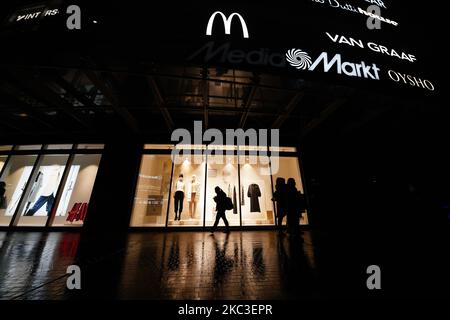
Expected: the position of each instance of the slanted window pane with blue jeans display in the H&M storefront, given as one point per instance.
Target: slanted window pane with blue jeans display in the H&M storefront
(40, 196)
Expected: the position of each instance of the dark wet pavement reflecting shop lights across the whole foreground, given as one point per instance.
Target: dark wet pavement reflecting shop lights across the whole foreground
(197, 266)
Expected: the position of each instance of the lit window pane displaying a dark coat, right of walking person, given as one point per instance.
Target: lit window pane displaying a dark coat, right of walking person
(257, 207)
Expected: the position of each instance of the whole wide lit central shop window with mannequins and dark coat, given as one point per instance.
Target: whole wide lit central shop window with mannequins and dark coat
(178, 191)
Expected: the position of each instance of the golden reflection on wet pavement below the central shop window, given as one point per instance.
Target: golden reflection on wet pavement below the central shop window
(239, 265)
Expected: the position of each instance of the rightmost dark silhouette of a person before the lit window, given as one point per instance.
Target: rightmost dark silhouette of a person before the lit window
(295, 204)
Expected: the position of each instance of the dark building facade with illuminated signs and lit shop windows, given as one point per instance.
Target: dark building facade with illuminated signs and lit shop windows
(96, 99)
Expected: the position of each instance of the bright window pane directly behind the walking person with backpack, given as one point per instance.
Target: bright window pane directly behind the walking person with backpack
(223, 173)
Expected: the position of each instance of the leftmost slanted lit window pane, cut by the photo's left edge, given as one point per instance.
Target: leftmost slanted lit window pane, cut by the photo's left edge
(15, 177)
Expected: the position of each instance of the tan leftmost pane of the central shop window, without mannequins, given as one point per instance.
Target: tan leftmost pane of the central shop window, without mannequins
(152, 191)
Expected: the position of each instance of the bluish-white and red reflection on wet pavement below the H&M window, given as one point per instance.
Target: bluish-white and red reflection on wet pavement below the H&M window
(33, 265)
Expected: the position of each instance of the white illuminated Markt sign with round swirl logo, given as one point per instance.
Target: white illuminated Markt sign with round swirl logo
(301, 60)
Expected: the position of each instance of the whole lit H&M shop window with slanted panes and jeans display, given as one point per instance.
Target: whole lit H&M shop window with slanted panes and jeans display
(39, 190)
